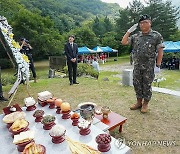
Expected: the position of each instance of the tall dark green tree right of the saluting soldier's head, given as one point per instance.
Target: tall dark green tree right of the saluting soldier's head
(164, 17)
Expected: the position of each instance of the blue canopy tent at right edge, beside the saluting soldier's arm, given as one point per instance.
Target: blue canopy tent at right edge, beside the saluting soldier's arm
(171, 46)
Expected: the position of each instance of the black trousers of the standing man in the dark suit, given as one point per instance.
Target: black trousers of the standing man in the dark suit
(72, 69)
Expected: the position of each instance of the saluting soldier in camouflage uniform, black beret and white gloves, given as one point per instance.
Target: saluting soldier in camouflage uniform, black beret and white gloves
(147, 46)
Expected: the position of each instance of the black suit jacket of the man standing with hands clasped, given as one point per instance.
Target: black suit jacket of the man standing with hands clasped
(71, 53)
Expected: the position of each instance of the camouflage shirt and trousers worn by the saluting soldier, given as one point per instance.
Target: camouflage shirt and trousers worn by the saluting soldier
(145, 48)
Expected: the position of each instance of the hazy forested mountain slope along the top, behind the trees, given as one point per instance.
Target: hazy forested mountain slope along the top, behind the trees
(68, 14)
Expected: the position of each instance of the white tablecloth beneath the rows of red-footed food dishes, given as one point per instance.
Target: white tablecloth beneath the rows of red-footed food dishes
(42, 136)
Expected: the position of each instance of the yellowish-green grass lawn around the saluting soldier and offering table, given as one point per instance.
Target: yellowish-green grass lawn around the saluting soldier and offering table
(160, 123)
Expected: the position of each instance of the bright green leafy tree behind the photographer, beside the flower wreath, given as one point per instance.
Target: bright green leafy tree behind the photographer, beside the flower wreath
(39, 31)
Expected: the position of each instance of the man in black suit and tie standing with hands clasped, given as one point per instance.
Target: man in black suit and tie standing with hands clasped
(71, 51)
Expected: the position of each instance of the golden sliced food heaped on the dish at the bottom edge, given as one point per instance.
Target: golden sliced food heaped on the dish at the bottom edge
(33, 148)
